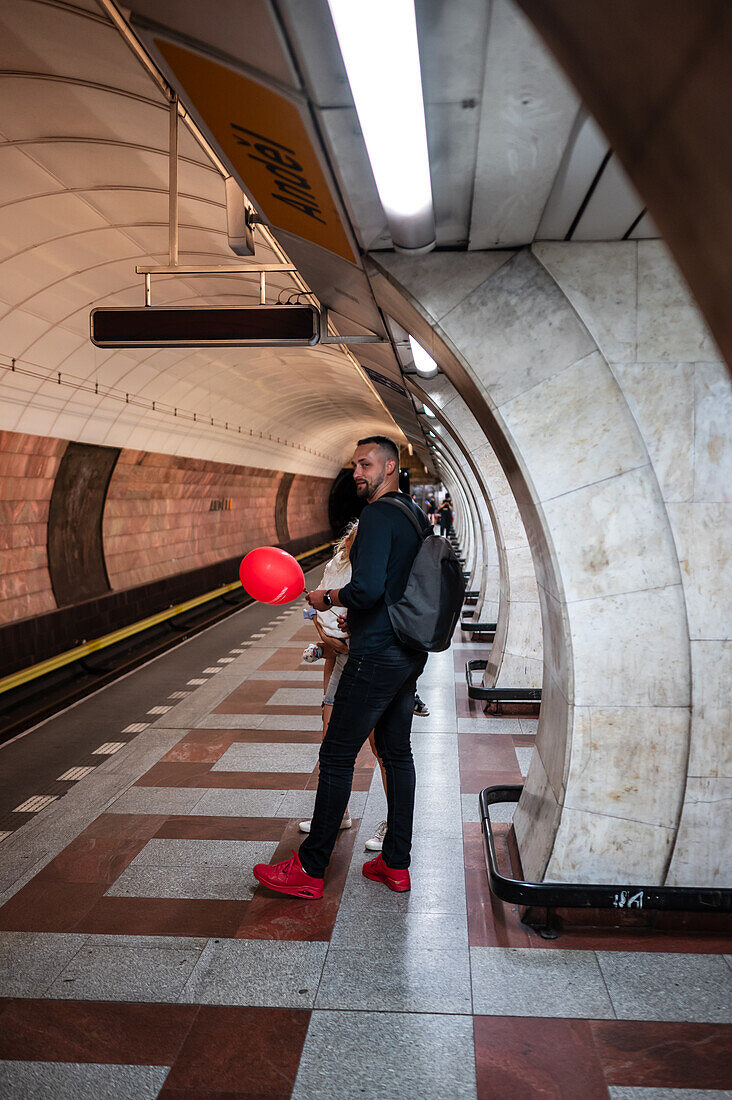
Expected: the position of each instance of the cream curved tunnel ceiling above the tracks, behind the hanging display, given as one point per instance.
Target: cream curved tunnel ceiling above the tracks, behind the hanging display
(83, 200)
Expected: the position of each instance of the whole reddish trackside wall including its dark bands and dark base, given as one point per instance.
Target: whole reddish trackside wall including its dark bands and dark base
(146, 531)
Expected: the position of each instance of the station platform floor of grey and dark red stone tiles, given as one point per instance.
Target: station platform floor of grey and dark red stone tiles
(140, 959)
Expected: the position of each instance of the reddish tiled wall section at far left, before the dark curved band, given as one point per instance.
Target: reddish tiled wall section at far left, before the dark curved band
(28, 470)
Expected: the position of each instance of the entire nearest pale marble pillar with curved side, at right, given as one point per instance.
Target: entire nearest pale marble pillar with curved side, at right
(596, 381)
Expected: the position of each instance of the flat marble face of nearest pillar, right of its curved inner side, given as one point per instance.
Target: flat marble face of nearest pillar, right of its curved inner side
(681, 398)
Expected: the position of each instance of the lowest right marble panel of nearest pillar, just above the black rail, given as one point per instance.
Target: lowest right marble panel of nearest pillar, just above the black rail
(703, 855)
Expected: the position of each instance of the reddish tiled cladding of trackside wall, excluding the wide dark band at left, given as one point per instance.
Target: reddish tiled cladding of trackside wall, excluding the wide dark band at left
(162, 516)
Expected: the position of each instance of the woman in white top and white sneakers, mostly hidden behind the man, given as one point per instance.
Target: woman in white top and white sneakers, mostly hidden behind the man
(334, 642)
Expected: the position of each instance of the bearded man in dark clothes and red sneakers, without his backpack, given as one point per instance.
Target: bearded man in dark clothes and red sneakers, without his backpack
(377, 688)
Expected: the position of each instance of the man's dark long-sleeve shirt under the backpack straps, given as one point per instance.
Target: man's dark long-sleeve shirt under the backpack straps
(383, 556)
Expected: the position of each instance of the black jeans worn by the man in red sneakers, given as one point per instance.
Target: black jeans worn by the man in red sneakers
(376, 692)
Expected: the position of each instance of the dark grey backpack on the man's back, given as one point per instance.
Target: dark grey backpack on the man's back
(427, 615)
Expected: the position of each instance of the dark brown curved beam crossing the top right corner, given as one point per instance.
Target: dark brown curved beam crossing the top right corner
(658, 79)
